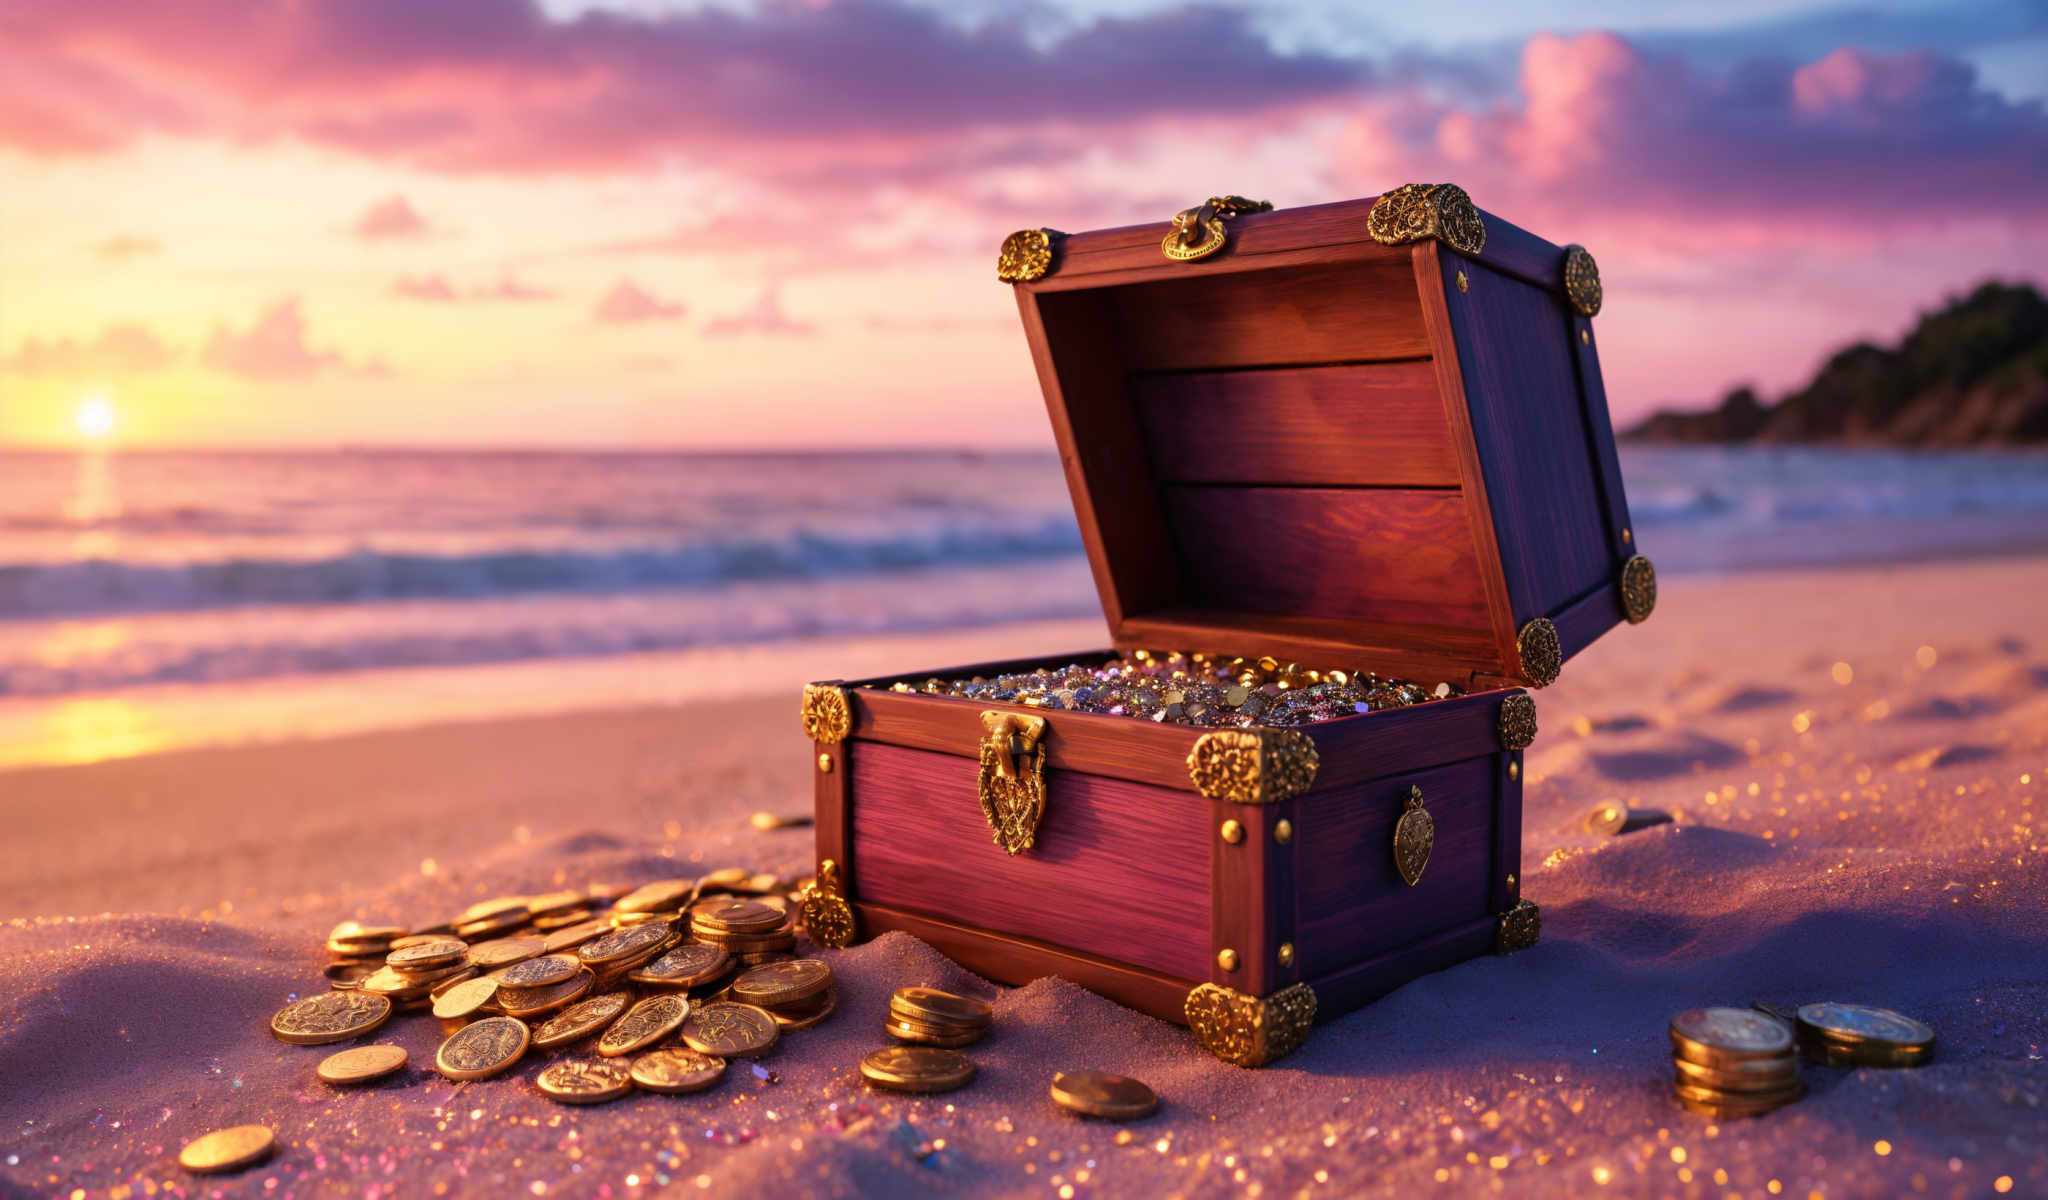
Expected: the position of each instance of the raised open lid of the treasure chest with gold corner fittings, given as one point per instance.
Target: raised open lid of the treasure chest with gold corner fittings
(1365, 435)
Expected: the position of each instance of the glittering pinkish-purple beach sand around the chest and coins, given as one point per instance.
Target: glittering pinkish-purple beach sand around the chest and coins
(1854, 761)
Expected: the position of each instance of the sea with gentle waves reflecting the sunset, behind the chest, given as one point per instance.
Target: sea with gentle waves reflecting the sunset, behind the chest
(124, 572)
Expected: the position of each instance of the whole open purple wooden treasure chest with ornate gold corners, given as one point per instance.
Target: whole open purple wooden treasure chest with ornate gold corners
(1365, 439)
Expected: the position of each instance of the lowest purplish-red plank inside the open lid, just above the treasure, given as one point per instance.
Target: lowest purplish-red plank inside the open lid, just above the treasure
(1340, 554)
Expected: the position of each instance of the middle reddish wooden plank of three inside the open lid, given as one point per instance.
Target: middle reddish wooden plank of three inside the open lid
(1377, 425)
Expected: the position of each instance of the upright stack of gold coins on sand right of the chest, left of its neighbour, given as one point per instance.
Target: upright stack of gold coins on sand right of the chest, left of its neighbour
(1734, 1062)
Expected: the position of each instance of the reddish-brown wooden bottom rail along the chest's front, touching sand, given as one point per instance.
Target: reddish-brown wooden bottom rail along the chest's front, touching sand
(1019, 961)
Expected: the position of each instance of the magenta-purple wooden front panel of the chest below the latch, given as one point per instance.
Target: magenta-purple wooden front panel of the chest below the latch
(1119, 869)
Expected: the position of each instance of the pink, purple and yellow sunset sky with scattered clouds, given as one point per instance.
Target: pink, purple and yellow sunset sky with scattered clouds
(462, 222)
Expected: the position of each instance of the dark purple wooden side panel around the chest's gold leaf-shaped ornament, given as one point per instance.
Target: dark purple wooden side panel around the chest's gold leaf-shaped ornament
(1353, 902)
